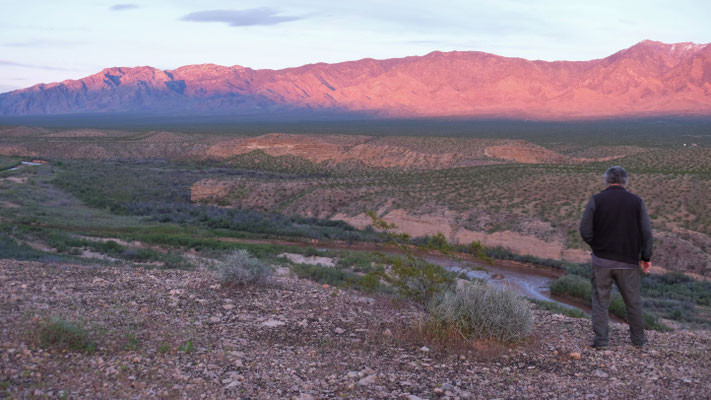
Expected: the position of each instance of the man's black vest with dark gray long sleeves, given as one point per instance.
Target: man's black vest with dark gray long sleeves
(616, 226)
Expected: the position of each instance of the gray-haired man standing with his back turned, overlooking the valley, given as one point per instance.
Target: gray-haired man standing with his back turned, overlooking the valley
(616, 226)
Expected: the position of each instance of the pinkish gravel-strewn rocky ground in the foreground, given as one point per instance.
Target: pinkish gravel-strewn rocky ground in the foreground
(178, 334)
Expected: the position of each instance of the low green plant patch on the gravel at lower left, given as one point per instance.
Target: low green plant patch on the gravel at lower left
(64, 334)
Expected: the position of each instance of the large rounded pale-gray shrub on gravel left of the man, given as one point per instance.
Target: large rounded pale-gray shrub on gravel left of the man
(481, 311)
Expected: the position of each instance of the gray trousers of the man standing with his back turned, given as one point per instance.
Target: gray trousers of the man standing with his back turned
(628, 281)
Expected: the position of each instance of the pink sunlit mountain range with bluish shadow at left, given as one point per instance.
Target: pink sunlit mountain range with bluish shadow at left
(649, 78)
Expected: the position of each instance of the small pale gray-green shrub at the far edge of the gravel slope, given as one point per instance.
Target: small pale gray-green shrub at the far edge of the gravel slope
(240, 269)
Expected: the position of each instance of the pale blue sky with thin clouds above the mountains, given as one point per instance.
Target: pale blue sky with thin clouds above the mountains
(53, 40)
